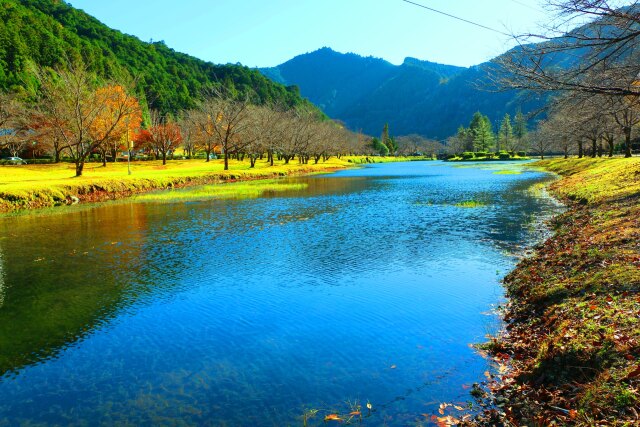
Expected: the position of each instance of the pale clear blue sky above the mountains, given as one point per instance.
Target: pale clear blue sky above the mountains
(267, 33)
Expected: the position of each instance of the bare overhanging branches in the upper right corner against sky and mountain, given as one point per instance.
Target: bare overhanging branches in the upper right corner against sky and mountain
(568, 56)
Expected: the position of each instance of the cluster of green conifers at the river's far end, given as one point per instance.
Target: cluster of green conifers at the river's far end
(480, 136)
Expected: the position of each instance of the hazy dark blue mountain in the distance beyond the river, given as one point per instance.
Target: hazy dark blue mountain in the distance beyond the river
(417, 96)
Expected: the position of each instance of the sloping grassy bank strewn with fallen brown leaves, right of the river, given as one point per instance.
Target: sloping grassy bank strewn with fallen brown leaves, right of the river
(572, 343)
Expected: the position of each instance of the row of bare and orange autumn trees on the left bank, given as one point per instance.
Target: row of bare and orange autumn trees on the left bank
(77, 115)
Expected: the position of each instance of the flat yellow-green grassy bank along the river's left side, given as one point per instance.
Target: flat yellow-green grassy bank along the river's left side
(40, 186)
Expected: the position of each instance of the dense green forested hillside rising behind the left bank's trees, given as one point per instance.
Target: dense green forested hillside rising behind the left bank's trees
(51, 32)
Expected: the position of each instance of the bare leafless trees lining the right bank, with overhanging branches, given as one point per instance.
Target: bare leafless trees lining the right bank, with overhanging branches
(594, 72)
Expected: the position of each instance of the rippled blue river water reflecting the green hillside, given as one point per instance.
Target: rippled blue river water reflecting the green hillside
(368, 286)
